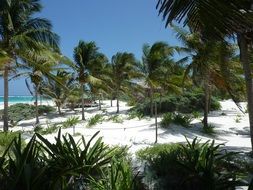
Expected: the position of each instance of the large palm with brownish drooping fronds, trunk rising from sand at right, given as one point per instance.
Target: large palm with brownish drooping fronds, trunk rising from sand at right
(210, 65)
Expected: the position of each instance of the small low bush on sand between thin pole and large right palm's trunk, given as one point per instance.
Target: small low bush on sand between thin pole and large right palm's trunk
(176, 118)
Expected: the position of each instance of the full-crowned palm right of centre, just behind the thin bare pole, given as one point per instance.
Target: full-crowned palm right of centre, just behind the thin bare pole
(155, 61)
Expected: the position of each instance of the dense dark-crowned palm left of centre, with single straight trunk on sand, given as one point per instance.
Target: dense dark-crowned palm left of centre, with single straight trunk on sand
(85, 55)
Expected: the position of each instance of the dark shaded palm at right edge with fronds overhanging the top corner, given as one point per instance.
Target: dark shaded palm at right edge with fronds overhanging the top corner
(216, 19)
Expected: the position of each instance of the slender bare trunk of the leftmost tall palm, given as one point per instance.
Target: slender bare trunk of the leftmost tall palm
(6, 96)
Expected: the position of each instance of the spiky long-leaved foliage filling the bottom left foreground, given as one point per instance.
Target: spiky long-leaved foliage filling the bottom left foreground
(65, 164)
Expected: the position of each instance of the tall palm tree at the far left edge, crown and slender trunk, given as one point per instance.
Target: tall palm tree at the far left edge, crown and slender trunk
(20, 34)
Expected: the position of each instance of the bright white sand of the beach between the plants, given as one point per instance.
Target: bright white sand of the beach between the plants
(140, 133)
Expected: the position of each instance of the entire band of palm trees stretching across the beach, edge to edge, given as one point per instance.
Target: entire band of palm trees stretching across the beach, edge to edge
(28, 47)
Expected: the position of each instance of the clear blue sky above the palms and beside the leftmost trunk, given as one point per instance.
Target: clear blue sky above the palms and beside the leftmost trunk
(115, 25)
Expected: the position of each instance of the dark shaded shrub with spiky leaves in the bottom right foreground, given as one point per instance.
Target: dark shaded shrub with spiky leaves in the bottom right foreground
(189, 166)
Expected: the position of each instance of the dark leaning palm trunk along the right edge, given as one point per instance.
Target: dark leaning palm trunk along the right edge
(244, 53)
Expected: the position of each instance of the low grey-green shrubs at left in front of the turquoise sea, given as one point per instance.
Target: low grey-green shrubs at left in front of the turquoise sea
(18, 112)
